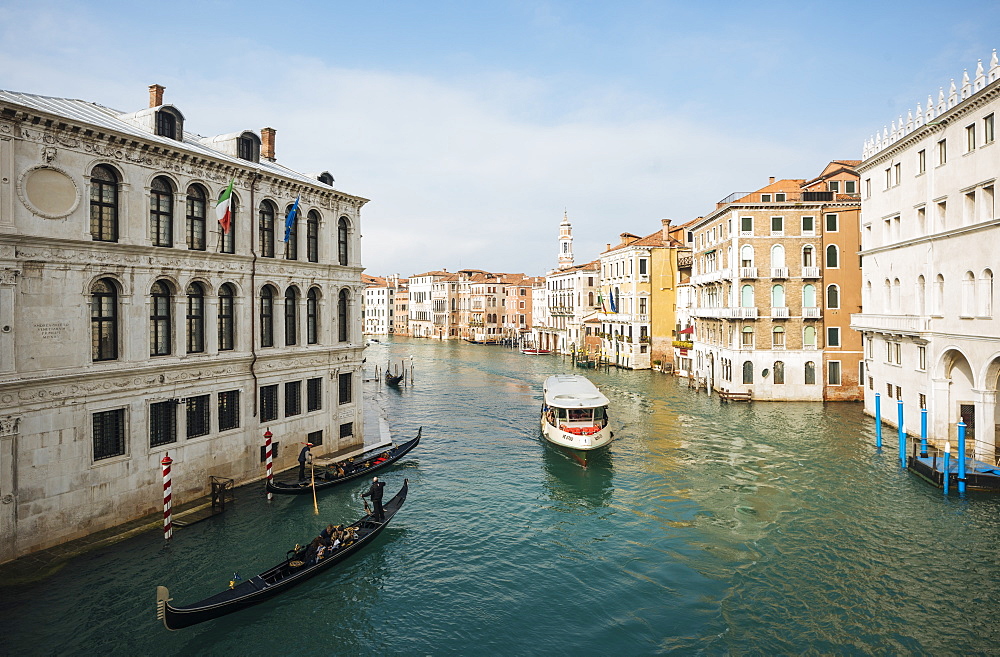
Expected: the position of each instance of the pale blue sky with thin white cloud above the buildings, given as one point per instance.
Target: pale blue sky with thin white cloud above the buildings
(473, 127)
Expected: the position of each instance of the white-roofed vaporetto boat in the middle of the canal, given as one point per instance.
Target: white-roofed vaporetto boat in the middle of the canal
(575, 415)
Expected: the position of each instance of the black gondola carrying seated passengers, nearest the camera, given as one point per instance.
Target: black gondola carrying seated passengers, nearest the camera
(297, 568)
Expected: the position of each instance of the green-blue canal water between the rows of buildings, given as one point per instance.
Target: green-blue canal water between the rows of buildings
(708, 528)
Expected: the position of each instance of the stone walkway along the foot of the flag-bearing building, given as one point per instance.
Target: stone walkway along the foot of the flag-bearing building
(43, 563)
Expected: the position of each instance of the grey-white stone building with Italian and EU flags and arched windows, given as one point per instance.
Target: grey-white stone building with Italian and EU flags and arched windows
(132, 327)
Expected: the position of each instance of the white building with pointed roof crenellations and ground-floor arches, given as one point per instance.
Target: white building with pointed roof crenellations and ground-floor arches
(929, 257)
